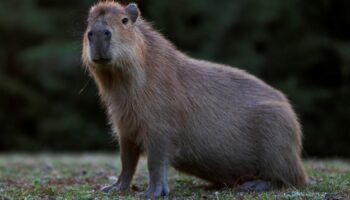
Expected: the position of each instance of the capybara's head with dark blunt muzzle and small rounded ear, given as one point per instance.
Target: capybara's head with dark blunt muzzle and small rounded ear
(111, 37)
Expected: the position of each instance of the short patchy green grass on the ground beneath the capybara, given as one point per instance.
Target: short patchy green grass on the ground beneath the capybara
(80, 176)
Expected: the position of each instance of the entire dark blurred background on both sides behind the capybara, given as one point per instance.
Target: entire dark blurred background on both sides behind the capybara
(48, 101)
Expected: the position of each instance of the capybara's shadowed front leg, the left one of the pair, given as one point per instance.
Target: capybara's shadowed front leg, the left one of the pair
(130, 153)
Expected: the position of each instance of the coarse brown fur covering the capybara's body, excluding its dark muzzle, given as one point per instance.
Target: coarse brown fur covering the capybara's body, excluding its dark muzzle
(213, 121)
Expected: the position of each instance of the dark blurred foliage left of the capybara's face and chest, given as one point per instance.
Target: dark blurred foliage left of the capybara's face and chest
(47, 100)
